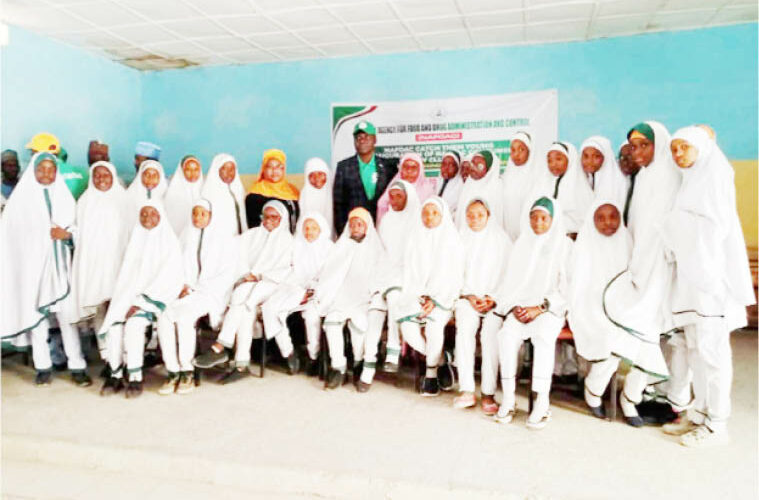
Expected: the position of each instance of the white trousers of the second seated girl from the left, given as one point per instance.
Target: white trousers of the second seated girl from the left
(176, 332)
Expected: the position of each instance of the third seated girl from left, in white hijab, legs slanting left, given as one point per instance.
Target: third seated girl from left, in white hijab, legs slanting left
(265, 257)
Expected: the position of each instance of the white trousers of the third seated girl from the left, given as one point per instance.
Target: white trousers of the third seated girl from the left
(238, 322)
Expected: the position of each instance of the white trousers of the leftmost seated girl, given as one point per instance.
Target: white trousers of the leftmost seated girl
(130, 338)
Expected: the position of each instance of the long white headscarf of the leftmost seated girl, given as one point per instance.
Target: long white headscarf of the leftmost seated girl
(152, 273)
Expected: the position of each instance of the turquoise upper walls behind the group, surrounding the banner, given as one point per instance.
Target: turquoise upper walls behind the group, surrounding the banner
(605, 86)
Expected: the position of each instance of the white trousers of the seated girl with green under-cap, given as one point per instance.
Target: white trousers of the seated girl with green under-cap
(542, 331)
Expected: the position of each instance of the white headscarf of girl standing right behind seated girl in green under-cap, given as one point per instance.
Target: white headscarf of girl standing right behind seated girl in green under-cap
(574, 193)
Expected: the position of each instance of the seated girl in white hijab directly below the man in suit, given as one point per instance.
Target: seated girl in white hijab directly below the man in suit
(344, 290)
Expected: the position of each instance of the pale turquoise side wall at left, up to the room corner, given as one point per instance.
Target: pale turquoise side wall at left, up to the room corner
(48, 86)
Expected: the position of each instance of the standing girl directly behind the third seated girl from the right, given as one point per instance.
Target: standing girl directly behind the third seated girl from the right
(483, 181)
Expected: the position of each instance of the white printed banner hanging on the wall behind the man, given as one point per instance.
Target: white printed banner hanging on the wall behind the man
(432, 127)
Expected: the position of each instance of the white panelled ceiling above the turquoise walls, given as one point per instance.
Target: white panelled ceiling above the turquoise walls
(158, 34)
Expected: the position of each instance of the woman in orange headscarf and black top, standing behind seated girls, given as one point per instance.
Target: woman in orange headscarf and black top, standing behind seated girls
(272, 185)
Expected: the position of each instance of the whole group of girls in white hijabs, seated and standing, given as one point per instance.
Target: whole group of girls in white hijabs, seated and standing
(512, 255)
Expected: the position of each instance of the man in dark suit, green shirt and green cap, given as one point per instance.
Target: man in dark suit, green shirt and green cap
(362, 178)
